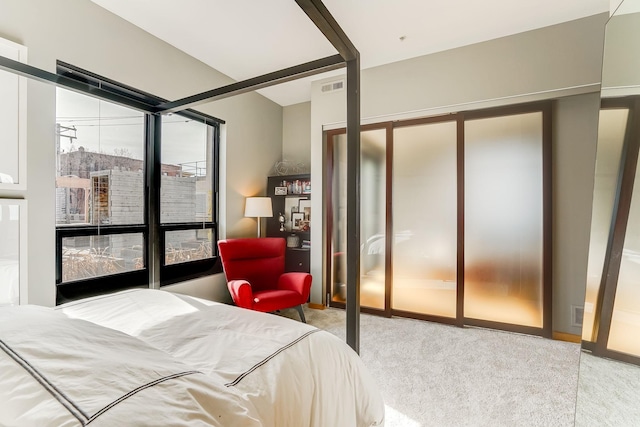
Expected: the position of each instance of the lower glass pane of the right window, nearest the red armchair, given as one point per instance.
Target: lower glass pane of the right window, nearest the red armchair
(187, 245)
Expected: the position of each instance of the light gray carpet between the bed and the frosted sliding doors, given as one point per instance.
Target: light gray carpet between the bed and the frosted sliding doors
(437, 375)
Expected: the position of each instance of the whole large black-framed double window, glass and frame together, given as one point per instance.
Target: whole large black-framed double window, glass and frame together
(135, 192)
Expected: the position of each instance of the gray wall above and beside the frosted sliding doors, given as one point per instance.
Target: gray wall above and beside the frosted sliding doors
(550, 63)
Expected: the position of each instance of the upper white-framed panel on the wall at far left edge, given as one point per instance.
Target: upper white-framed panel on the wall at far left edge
(13, 121)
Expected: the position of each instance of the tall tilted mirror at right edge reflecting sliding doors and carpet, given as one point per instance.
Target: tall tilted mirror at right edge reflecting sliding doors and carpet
(609, 377)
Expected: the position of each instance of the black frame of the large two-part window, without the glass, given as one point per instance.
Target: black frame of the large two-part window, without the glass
(155, 273)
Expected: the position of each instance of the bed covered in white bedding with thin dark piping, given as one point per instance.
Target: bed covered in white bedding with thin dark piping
(149, 357)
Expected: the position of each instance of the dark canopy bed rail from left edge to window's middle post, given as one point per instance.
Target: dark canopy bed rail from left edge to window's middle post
(43, 76)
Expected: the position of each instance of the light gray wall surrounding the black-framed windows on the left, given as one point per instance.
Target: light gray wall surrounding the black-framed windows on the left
(83, 34)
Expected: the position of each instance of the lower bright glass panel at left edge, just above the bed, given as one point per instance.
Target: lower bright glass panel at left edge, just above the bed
(9, 253)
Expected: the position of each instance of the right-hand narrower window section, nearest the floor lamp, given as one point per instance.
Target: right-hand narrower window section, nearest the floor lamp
(187, 196)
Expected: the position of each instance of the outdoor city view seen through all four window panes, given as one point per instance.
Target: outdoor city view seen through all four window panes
(100, 174)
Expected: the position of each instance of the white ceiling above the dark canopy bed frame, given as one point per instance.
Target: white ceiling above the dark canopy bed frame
(248, 38)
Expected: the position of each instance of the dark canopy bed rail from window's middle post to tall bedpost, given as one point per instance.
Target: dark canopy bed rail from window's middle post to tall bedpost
(282, 76)
